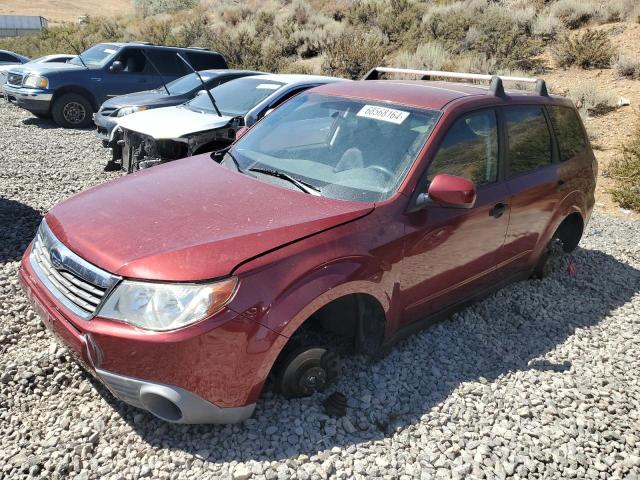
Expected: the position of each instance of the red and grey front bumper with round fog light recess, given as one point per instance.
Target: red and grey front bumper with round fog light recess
(210, 372)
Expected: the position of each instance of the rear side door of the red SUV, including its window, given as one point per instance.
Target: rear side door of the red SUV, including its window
(532, 180)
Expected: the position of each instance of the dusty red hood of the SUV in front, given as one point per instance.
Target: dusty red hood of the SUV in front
(190, 220)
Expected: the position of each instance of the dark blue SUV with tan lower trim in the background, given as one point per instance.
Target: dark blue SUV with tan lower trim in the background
(73, 91)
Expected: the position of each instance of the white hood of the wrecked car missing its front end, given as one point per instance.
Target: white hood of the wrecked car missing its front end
(172, 122)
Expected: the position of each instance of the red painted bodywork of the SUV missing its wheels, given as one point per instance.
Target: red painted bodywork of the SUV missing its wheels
(194, 220)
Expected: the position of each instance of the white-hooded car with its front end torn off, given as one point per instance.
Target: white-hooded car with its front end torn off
(209, 121)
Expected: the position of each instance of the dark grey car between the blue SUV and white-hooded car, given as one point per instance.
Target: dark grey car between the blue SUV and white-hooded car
(173, 93)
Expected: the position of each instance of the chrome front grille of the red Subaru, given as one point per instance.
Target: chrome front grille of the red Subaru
(80, 286)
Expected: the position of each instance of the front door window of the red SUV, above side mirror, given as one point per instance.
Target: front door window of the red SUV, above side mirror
(469, 149)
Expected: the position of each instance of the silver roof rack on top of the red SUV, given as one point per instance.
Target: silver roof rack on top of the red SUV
(495, 86)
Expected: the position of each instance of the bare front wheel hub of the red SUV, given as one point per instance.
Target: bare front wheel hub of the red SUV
(307, 370)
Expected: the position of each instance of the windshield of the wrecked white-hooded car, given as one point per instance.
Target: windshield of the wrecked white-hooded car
(237, 97)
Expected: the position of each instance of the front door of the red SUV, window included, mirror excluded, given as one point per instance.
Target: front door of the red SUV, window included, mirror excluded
(450, 253)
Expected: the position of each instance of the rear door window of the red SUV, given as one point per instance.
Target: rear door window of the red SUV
(529, 139)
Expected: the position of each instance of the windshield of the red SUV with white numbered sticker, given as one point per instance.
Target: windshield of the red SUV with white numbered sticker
(349, 149)
